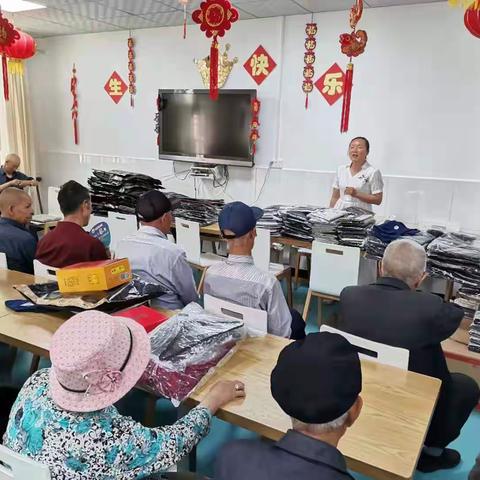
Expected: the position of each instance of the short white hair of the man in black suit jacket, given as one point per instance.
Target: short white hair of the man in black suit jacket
(405, 260)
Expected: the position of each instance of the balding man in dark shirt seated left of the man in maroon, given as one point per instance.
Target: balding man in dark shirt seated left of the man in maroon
(16, 240)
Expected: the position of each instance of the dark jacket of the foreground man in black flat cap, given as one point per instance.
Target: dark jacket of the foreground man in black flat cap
(295, 456)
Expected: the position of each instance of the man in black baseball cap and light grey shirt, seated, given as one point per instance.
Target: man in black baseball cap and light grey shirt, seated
(155, 258)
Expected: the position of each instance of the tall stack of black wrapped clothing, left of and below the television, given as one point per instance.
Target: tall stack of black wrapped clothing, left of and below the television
(118, 191)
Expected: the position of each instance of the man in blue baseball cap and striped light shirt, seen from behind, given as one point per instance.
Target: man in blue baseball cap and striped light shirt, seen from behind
(238, 280)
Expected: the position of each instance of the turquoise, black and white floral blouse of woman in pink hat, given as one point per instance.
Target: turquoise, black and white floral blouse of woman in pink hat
(102, 445)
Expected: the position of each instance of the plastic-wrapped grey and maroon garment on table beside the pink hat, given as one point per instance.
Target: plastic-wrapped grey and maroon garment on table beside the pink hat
(186, 348)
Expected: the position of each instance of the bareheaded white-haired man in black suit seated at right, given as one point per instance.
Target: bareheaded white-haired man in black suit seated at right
(391, 311)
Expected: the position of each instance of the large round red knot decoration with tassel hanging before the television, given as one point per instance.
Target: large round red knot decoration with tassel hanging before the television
(215, 17)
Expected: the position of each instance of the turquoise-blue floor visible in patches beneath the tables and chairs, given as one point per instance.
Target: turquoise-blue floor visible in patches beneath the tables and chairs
(222, 432)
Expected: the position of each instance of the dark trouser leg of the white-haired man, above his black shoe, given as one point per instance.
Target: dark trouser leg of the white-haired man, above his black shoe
(456, 401)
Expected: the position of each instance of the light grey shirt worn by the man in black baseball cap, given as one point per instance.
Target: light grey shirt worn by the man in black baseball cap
(157, 260)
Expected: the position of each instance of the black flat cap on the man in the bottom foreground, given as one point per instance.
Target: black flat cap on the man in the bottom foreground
(318, 379)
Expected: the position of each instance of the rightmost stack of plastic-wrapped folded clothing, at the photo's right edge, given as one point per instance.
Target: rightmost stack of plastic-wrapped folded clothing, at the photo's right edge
(456, 256)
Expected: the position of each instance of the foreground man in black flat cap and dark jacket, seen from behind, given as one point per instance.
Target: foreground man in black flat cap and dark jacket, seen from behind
(317, 382)
